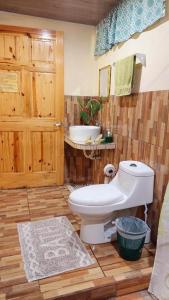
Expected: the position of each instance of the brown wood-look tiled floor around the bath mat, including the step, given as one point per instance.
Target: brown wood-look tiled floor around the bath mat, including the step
(110, 277)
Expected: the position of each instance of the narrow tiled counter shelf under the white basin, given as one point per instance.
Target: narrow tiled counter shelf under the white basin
(89, 147)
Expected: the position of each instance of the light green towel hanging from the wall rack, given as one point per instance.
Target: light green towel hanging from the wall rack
(124, 73)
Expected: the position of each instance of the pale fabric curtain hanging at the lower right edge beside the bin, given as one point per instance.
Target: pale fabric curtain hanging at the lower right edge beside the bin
(159, 283)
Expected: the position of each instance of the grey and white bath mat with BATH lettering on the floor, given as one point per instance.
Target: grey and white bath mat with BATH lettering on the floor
(51, 247)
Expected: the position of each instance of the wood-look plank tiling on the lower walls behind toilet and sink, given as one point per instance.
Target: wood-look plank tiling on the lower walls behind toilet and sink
(140, 124)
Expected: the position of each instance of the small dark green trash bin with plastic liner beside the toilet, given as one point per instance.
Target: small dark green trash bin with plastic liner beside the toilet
(131, 233)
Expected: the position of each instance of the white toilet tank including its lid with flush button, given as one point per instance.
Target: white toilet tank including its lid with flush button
(135, 180)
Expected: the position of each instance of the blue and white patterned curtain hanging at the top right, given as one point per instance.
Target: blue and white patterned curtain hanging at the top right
(129, 17)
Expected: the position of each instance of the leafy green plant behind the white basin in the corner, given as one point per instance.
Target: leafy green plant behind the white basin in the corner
(89, 109)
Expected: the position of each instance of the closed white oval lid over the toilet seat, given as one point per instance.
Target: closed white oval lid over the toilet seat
(96, 195)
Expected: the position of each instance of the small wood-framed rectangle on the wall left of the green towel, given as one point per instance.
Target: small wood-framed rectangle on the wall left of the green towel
(104, 81)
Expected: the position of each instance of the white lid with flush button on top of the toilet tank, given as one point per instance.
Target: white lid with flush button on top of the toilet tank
(136, 168)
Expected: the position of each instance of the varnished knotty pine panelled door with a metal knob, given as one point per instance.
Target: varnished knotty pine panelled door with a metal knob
(31, 102)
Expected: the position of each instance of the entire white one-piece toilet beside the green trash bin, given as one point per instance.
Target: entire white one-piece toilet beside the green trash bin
(96, 204)
